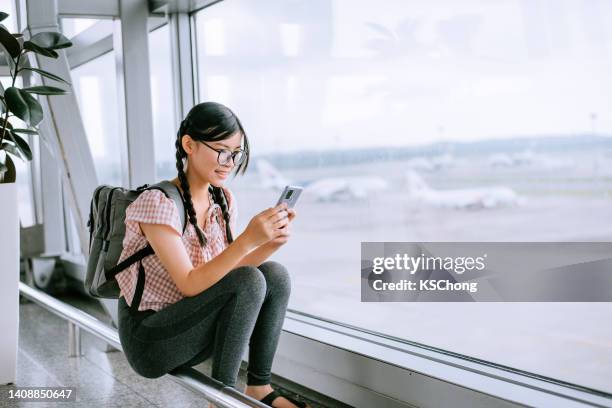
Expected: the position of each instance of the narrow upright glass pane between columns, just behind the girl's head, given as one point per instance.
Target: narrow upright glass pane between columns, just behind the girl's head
(162, 98)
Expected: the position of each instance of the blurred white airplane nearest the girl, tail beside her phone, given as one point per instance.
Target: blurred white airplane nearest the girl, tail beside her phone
(324, 189)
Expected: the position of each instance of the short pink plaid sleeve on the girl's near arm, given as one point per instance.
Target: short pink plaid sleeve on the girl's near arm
(152, 207)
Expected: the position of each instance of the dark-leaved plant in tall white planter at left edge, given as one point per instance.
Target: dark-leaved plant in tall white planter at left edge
(20, 113)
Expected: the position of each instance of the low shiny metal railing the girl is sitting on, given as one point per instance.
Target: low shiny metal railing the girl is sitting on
(212, 390)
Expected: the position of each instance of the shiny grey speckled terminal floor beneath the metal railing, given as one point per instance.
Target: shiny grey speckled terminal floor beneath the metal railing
(101, 378)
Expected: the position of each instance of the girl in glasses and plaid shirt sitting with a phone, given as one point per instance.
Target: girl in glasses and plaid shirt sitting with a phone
(205, 293)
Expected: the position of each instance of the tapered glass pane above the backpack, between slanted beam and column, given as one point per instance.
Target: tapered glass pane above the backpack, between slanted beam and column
(95, 86)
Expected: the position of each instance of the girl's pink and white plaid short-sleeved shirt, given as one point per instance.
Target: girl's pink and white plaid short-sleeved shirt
(153, 207)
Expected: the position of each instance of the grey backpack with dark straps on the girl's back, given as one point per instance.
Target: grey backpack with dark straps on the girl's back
(106, 232)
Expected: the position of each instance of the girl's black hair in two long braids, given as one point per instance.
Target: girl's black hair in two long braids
(210, 122)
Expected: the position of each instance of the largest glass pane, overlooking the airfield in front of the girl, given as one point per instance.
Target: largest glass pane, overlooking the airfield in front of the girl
(396, 117)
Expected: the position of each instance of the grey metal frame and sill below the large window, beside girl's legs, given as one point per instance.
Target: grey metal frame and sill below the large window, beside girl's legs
(334, 357)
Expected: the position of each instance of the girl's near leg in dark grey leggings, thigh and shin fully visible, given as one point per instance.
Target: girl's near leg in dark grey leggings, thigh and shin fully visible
(220, 319)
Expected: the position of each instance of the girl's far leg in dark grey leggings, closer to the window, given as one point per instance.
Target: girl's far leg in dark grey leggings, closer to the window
(264, 340)
